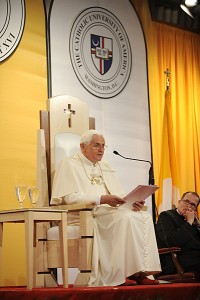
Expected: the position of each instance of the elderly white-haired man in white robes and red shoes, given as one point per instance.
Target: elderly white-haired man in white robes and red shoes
(124, 239)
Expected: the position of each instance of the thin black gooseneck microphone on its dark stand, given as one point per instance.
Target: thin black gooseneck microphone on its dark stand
(151, 181)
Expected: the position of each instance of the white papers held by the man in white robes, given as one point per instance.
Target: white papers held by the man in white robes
(140, 193)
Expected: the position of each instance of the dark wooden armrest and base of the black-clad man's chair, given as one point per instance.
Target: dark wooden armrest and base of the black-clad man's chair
(180, 276)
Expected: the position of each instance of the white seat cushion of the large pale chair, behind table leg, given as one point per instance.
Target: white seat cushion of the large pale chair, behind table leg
(72, 232)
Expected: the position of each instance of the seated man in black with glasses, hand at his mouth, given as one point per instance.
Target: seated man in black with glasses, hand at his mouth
(180, 227)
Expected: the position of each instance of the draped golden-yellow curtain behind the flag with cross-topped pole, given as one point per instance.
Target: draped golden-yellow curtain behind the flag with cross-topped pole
(178, 50)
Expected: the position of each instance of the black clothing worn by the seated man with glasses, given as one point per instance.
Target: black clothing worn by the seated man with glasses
(173, 230)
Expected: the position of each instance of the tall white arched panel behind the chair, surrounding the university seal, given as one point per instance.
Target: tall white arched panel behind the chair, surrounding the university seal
(124, 118)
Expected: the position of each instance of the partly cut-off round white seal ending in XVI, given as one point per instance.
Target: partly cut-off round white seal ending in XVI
(12, 19)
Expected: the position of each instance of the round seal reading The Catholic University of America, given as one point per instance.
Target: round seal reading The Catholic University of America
(100, 52)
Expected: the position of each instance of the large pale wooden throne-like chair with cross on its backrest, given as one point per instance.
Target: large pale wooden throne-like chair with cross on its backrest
(62, 124)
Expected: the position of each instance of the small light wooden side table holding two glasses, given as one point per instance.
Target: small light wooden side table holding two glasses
(31, 216)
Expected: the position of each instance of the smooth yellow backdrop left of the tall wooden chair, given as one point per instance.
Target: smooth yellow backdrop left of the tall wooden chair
(23, 93)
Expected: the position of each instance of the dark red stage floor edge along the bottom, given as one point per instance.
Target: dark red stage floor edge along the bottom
(188, 291)
